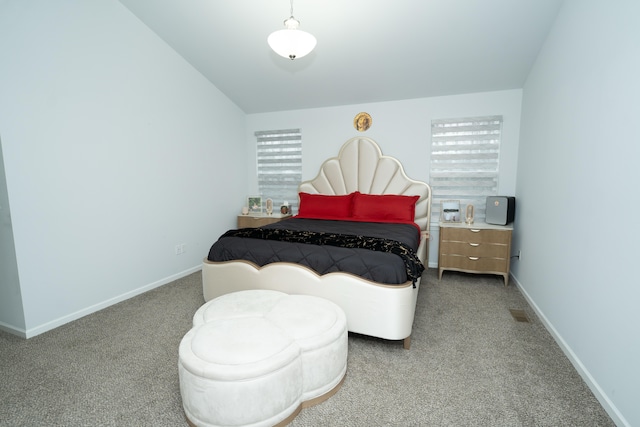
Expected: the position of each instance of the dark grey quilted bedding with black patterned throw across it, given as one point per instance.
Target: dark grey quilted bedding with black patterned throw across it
(378, 266)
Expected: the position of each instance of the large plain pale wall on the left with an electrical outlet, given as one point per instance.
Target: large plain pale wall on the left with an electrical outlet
(114, 148)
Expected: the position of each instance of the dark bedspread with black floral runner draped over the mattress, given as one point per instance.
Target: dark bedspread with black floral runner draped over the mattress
(308, 241)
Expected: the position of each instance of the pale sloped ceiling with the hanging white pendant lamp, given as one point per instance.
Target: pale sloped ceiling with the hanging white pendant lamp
(368, 50)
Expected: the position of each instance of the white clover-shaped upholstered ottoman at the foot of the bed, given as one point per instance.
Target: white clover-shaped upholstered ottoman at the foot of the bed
(258, 357)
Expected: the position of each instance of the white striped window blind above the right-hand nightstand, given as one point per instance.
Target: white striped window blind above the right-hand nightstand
(464, 162)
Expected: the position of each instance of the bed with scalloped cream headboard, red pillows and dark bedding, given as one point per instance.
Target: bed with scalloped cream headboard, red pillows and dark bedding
(382, 308)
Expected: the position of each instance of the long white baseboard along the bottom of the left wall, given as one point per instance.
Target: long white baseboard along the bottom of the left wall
(32, 332)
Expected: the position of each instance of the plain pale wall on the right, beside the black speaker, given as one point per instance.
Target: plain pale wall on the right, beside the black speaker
(577, 193)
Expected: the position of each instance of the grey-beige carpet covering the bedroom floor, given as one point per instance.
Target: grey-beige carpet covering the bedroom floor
(470, 364)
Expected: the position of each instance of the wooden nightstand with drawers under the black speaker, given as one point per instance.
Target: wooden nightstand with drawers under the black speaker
(475, 248)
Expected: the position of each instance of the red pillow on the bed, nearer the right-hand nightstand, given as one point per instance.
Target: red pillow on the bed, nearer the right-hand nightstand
(384, 207)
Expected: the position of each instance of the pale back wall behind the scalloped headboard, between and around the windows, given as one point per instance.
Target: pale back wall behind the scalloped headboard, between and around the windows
(401, 128)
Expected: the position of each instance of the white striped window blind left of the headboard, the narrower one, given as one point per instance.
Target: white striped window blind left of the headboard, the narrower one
(279, 166)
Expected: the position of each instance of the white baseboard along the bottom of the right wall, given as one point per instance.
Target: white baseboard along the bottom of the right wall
(595, 388)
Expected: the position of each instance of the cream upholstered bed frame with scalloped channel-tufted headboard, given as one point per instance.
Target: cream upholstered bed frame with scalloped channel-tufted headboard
(384, 311)
